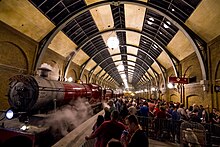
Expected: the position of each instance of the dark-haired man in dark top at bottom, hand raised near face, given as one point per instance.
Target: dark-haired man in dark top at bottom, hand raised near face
(138, 138)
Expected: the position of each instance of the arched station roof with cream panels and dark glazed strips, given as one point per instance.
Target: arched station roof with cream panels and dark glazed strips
(157, 31)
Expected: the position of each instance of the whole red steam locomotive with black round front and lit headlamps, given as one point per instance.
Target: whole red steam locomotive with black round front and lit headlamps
(29, 95)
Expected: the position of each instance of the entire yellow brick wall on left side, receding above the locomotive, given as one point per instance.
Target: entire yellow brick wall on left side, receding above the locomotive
(17, 55)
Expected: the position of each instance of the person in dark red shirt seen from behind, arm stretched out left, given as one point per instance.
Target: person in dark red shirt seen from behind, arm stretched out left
(108, 130)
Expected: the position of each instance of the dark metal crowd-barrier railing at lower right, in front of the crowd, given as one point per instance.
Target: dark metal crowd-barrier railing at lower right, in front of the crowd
(202, 134)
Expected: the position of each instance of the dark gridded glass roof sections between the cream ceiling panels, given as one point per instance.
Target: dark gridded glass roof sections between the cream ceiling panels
(155, 26)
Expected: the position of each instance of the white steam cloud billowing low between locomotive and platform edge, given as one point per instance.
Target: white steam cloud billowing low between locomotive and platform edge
(69, 117)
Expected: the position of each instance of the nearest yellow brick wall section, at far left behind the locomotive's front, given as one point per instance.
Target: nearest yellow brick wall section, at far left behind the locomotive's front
(16, 57)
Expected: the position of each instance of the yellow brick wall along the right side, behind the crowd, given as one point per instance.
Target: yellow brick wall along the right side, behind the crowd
(194, 92)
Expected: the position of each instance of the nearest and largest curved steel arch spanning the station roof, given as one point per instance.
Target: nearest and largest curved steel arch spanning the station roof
(196, 41)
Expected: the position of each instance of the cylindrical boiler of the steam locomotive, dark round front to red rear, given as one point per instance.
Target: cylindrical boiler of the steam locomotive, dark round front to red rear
(28, 93)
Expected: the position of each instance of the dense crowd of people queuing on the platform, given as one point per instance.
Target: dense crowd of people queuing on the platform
(120, 125)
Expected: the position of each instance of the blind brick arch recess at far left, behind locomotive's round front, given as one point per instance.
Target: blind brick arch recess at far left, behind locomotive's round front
(13, 61)
